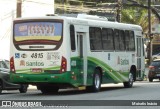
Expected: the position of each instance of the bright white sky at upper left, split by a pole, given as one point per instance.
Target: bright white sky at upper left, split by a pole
(30, 8)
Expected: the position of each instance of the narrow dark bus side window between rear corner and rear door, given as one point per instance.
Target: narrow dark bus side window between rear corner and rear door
(72, 38)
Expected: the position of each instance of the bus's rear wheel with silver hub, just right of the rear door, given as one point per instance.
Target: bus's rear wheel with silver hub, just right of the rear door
(96, 81)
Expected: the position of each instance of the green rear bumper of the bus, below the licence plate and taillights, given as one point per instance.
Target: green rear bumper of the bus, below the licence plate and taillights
(38, 79)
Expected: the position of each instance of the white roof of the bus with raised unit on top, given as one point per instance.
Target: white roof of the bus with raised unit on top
(92, 20)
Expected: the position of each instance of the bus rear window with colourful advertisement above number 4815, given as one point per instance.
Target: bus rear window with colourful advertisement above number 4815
(37, 35)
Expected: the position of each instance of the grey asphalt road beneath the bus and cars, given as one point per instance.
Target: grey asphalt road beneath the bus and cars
(108, 97)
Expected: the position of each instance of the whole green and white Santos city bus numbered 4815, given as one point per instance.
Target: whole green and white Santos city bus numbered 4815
(83, 52)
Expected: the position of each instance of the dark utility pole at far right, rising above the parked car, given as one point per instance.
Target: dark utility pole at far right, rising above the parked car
(149, 31)
